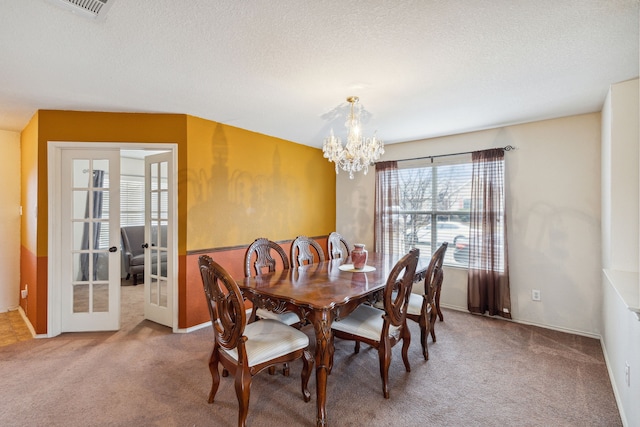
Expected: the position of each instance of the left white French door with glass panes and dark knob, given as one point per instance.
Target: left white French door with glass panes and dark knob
(89, 240)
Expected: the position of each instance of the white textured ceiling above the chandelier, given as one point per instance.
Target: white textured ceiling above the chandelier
(284, 68)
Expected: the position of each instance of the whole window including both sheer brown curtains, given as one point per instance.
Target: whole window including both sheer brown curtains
(461, 202)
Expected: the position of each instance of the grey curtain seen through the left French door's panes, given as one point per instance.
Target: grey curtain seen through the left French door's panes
(95, 209)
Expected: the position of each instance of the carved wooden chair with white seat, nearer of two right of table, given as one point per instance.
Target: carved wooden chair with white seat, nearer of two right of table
(383, 329)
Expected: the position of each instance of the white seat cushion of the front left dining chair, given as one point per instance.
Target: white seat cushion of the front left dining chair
(268, 339)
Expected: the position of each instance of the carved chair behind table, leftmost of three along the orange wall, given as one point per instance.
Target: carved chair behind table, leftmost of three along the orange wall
(259, 258)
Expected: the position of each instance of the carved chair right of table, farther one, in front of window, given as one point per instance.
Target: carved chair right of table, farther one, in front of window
(422, 308)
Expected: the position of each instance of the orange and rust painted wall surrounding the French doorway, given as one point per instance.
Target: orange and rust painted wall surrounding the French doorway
(233, 186)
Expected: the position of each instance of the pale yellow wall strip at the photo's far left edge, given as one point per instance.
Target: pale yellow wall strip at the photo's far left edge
(9, 220)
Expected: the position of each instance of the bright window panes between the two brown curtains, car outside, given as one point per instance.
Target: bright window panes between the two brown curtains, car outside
(434, 202)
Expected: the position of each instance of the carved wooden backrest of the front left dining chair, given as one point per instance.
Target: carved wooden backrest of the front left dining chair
(226, 306)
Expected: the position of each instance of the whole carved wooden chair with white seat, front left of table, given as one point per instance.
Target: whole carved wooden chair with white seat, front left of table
(246, 349)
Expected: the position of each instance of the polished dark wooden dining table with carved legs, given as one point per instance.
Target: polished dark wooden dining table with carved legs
(321, 293)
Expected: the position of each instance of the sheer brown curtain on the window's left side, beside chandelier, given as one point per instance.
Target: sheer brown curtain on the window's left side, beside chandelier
(386, 206)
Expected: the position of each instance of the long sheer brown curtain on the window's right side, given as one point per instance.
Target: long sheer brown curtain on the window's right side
(488, 277)
